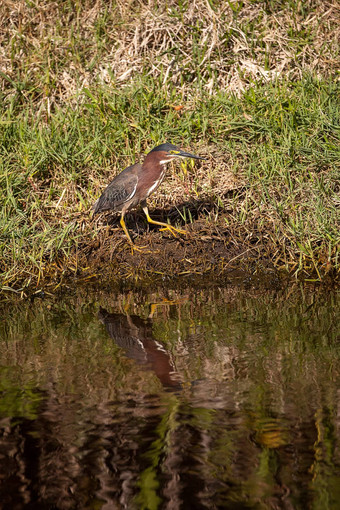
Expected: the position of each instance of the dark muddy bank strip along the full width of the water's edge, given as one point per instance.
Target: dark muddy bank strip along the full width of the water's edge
(209, 253)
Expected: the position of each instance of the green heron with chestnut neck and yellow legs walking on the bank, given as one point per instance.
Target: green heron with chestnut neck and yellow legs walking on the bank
(134, 184)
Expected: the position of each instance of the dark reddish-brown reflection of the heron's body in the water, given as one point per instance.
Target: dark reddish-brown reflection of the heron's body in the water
(135, 336)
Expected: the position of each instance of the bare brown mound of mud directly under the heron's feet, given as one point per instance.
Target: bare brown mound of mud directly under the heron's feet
(206, 249)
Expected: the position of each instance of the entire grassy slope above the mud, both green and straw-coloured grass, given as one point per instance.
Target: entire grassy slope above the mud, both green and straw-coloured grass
(61, 141)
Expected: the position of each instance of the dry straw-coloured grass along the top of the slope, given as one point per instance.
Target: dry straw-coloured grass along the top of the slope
(58, 48)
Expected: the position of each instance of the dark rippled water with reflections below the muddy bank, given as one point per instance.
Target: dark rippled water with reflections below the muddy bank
(223, 397)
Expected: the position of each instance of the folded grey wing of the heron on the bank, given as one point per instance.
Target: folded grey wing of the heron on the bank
(120, 190)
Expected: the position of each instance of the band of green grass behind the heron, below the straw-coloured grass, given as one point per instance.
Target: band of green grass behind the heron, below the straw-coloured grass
(281, 137)
